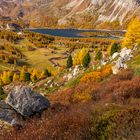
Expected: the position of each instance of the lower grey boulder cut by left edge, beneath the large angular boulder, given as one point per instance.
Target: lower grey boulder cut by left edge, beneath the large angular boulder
(8, 116)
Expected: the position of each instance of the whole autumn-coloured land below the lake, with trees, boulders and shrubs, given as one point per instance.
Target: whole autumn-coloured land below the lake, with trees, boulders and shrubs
(90, 92)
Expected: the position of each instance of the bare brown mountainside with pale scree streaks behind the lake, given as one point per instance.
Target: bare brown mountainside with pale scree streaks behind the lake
(41, 11)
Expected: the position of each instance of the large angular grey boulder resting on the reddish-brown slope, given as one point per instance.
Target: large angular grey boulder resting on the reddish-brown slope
(26, 101)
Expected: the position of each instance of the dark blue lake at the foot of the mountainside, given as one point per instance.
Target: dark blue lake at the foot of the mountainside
(74, 33)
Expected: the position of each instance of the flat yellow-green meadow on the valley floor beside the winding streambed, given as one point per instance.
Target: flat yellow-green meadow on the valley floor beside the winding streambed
(39, 58)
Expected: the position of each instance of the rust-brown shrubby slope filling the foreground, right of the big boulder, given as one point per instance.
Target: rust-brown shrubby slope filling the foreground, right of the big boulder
(111, 112)
